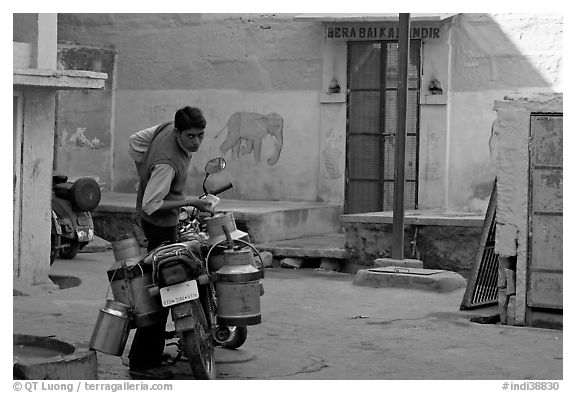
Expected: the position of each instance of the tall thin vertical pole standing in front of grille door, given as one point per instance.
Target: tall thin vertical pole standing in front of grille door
(399, 175)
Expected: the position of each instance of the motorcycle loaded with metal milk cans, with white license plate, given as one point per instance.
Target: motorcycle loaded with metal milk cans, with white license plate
(209, 305)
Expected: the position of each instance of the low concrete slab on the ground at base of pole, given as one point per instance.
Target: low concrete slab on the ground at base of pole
(410, 278)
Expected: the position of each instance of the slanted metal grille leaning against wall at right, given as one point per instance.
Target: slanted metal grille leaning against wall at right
(482, 288)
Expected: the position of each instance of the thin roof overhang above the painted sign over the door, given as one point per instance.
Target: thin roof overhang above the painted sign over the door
(347, 18)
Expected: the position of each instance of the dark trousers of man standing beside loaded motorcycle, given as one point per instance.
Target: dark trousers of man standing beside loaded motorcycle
(148, 344)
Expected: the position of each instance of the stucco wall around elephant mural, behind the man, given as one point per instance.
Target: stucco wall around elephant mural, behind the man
(222, 63)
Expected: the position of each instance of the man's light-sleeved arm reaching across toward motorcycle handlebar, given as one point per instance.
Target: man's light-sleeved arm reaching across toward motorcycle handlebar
(158, 188)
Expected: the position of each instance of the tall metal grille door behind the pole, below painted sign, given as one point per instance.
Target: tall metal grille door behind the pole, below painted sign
(372, 112)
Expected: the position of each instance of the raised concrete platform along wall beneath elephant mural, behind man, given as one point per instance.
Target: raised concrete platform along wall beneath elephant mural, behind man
(265, 221)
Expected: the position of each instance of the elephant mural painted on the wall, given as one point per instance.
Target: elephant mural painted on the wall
(246, 130)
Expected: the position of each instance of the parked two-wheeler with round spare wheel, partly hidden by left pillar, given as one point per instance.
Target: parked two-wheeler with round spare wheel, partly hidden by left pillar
(72, 226)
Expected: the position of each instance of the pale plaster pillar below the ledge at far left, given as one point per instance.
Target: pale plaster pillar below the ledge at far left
(34, 248)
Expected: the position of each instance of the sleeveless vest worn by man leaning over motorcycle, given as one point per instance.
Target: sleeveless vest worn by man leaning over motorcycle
(164, 149)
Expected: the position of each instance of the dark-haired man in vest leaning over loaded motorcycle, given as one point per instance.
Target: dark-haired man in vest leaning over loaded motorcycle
(162, 155)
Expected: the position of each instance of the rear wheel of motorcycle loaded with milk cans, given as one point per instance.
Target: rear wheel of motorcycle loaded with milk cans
(198, 347)
